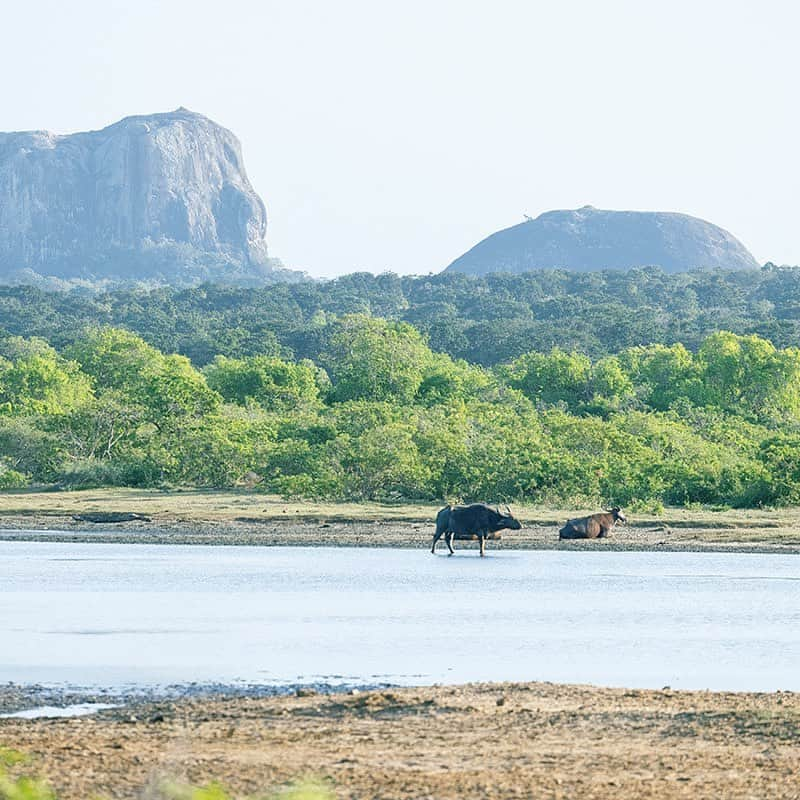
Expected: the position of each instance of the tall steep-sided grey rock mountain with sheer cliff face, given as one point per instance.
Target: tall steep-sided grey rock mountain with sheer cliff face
(160, 197)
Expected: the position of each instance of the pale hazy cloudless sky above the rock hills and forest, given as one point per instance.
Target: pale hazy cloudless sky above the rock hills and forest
(397, 135)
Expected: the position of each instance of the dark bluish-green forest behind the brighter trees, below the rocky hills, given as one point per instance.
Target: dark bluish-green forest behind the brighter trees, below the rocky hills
(485, 321)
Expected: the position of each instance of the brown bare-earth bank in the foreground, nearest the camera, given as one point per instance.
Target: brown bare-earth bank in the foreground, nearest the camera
(476, 741)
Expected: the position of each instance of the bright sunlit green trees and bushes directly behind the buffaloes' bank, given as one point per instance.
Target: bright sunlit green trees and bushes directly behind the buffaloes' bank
(379, 414)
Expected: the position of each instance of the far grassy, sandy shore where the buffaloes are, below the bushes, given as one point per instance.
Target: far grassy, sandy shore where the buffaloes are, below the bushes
(241, 518)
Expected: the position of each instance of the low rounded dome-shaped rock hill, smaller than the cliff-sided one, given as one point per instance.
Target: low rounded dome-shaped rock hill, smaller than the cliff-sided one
(589, 239)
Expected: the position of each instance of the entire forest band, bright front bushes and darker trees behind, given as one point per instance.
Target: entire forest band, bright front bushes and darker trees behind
(579, 389)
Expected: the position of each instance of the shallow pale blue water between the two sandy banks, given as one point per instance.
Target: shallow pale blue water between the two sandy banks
(111, 615)
